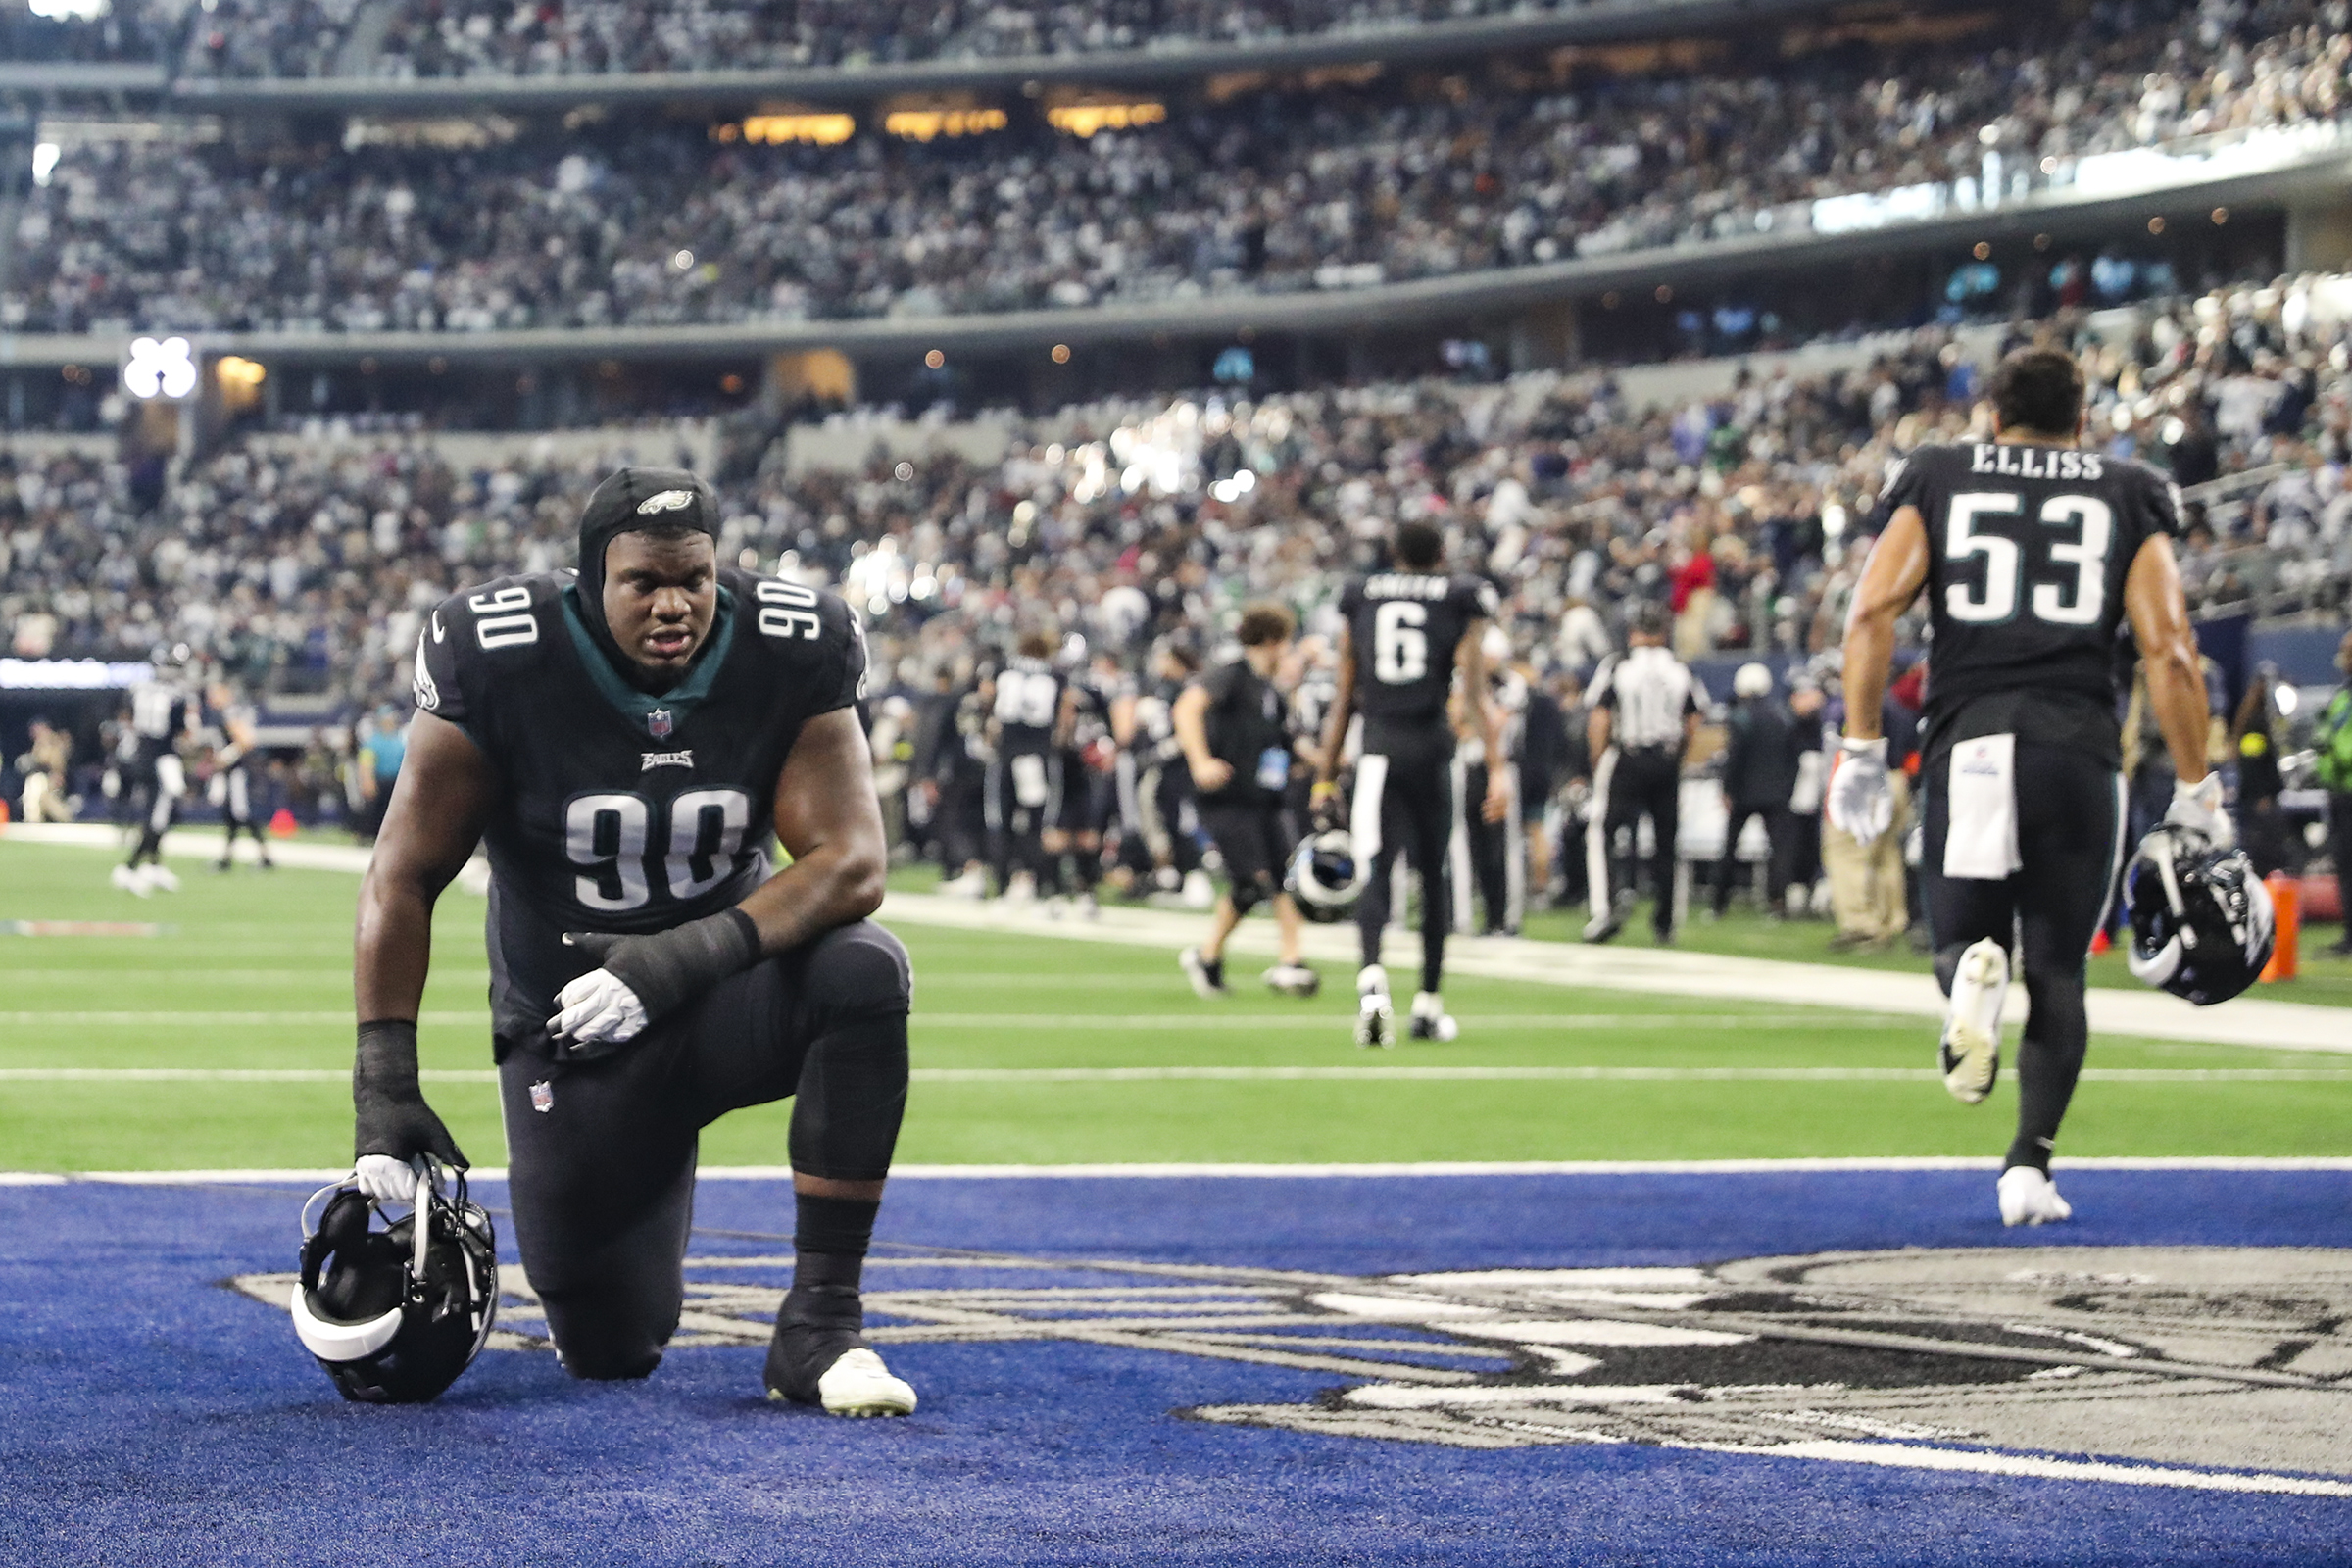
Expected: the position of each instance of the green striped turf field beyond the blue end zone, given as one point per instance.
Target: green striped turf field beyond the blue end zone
(1017, 1043)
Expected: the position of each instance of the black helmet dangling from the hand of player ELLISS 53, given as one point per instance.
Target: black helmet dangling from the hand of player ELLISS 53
(2200, 918)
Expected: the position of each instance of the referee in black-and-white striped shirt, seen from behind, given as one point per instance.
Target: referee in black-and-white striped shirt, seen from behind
(1645, 711)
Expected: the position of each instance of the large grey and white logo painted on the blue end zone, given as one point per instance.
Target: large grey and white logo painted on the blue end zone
(2224, 1369)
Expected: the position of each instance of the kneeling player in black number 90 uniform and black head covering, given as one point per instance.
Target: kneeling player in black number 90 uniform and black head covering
(627, 742)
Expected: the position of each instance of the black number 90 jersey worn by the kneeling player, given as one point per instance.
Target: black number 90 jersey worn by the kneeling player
(620, 810)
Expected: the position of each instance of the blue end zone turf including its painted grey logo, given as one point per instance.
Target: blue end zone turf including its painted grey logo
(1264, 1374)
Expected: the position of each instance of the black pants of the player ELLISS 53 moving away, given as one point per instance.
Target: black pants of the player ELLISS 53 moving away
(2071, 836)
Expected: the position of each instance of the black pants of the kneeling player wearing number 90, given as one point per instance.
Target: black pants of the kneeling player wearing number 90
(603, 1179)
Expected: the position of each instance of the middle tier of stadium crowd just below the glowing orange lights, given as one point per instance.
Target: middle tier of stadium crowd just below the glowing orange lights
(1276, 192)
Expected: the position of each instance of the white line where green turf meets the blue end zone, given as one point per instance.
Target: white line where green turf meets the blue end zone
(1318, 1172)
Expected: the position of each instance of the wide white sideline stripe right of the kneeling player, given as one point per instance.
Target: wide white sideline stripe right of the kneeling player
(2250, 1021)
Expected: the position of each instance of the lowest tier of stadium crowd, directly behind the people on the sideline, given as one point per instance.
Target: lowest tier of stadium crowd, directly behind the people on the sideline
(305, 563)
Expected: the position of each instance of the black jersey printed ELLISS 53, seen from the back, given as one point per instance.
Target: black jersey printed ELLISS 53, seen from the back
(2029, 551)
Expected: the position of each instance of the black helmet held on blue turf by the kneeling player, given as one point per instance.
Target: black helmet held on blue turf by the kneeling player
(399, 1313)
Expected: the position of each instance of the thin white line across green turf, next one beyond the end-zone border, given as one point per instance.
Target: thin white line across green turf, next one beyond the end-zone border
(1248, 1076)
